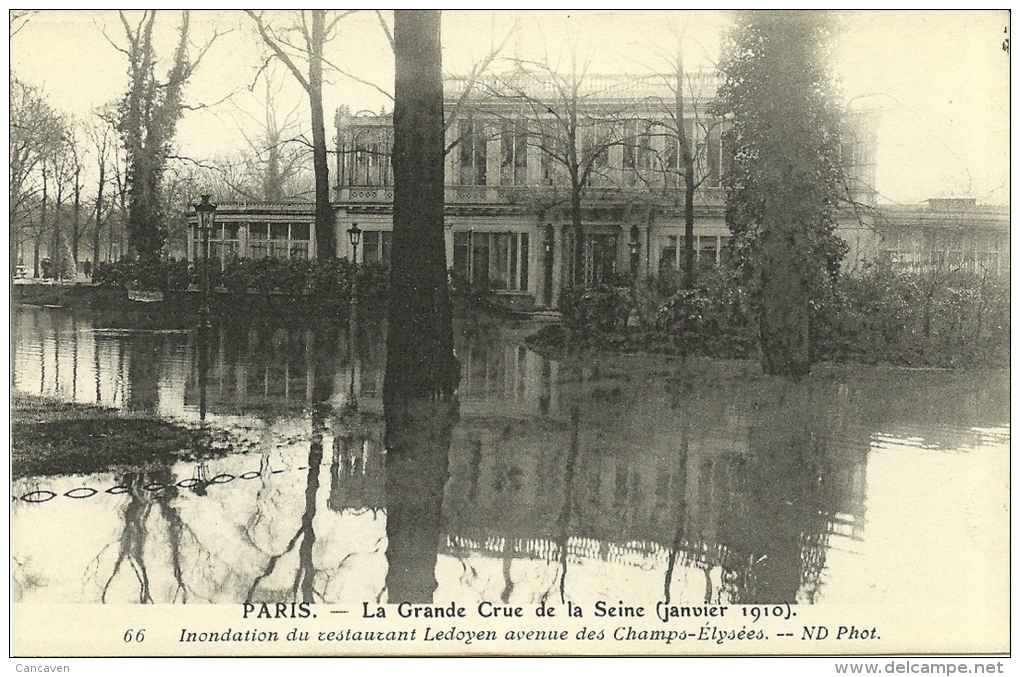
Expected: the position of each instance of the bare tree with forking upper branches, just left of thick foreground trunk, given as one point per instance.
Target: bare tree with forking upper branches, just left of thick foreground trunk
(300, 47)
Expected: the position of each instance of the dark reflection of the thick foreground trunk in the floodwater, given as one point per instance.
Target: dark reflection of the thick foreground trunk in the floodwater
(419, 435)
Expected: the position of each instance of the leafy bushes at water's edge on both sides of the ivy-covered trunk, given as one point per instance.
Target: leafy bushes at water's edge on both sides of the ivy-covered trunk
(877, 316)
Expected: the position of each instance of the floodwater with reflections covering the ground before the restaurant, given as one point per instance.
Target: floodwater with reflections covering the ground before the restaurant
(634, 479)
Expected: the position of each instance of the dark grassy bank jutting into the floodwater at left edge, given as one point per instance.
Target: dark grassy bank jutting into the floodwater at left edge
(50, 438)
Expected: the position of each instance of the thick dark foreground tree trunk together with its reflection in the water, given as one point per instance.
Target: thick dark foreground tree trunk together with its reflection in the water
(422, 372)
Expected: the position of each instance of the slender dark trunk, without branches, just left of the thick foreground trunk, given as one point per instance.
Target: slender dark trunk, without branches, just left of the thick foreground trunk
(326, 239)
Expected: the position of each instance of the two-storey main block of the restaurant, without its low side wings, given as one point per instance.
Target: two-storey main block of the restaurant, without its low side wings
(507, 191)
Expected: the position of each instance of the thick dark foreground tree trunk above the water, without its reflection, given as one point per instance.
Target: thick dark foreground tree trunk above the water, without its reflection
(421, 362)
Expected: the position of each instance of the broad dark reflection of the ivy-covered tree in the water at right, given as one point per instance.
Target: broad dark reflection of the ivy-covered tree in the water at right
(786, 492)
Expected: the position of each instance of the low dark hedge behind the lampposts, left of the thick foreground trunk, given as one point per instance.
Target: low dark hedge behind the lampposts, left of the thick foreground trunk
(325, 283)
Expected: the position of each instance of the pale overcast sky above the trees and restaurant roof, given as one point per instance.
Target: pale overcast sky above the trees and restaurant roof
(941, 79)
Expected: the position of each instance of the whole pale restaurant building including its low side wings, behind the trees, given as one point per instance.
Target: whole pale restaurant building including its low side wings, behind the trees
(508, 227)
